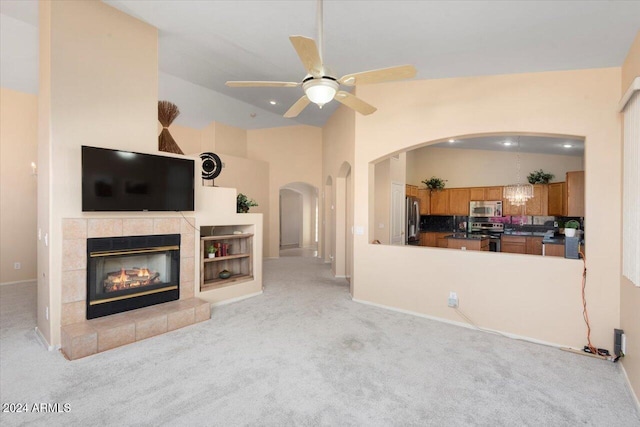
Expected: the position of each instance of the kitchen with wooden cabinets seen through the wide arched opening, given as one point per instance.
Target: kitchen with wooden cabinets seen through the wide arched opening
(474, 217)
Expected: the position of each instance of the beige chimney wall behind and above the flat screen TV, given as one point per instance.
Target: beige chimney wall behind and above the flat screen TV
(104, 92)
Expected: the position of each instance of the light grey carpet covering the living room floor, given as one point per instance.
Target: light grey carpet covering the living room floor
(305, 354)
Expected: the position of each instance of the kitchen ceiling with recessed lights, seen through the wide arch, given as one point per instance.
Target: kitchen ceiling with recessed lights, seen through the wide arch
(519, 143)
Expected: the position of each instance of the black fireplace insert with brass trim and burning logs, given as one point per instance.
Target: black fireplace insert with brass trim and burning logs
(126, 273)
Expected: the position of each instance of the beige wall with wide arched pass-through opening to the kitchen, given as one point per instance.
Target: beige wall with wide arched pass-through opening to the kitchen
(536, 297)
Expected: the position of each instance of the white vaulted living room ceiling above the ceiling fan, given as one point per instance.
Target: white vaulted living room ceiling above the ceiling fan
(202, 44)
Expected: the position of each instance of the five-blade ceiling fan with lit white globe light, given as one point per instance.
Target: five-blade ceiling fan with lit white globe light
(320, 86)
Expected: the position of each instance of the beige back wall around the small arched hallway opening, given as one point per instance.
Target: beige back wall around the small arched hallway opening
(294, 155)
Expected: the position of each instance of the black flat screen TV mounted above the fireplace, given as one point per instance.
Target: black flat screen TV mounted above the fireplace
(114, 180)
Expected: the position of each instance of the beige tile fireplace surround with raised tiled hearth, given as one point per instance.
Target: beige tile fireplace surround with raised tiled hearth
(81, 337)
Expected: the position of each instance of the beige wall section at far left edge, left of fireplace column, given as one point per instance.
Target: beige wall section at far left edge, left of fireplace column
(18, 148)
